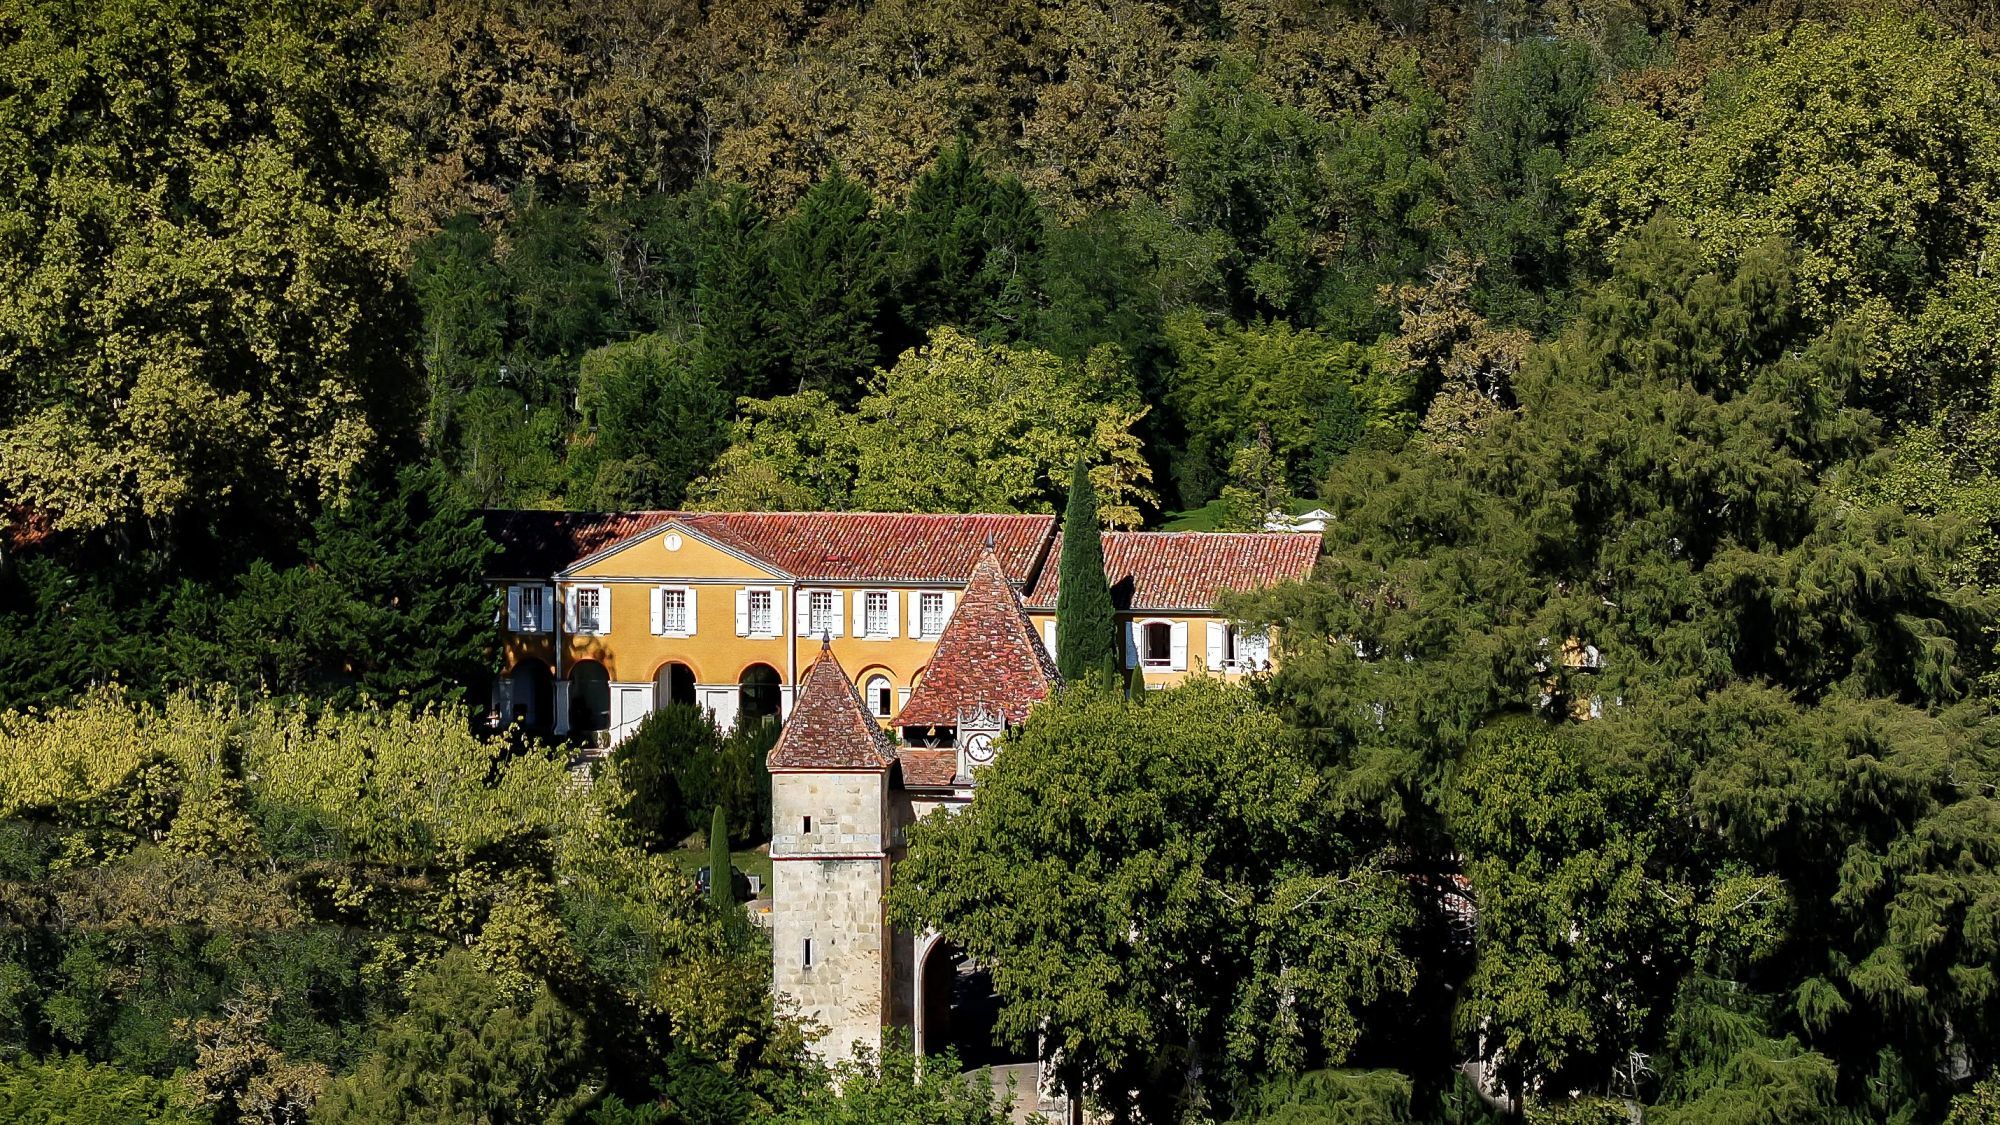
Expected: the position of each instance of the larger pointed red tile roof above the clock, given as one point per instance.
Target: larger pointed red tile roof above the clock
(989, 656)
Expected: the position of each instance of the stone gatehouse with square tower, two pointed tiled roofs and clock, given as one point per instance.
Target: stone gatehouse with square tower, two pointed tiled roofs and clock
(843, 792)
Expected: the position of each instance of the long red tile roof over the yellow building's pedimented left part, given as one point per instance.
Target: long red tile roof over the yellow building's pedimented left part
(827, 547)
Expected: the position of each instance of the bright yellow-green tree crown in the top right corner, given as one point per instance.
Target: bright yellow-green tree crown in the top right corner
(1873, 149)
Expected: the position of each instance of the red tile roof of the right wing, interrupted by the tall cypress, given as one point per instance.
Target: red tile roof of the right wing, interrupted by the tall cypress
(1187, 570)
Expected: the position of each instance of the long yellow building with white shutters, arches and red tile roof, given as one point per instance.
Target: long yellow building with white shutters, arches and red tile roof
(615, 616)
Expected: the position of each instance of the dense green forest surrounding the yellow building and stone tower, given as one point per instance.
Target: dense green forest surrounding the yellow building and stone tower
(1633, 752)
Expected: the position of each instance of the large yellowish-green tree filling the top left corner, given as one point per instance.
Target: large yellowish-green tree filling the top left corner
(203, 299)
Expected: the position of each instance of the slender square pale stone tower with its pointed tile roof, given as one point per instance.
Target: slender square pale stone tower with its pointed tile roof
(831, 862)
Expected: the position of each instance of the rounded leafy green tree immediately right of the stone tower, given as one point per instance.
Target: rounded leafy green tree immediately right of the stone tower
(1161, 898)
